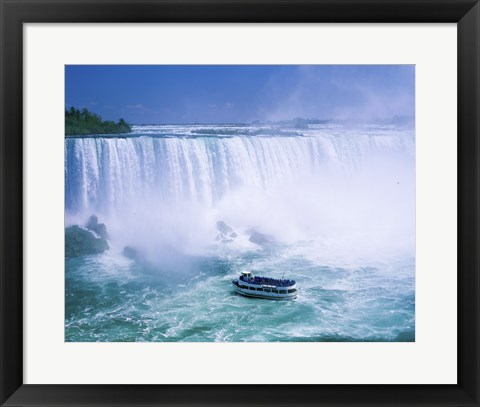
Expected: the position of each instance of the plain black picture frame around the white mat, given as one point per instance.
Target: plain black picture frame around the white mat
(14, 13)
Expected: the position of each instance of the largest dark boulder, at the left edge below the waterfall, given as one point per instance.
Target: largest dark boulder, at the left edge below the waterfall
(79, 242)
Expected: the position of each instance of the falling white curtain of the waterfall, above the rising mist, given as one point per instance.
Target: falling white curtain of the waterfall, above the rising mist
(106, 173)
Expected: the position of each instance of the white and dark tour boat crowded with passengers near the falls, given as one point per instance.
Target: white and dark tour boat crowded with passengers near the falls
(264, 287)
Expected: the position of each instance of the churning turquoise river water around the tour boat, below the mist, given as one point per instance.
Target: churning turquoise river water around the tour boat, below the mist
(119, 300)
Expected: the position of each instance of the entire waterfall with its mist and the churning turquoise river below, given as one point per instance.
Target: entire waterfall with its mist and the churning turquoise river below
(188, 207)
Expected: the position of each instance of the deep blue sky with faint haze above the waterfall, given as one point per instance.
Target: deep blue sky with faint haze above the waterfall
(241, 93)
